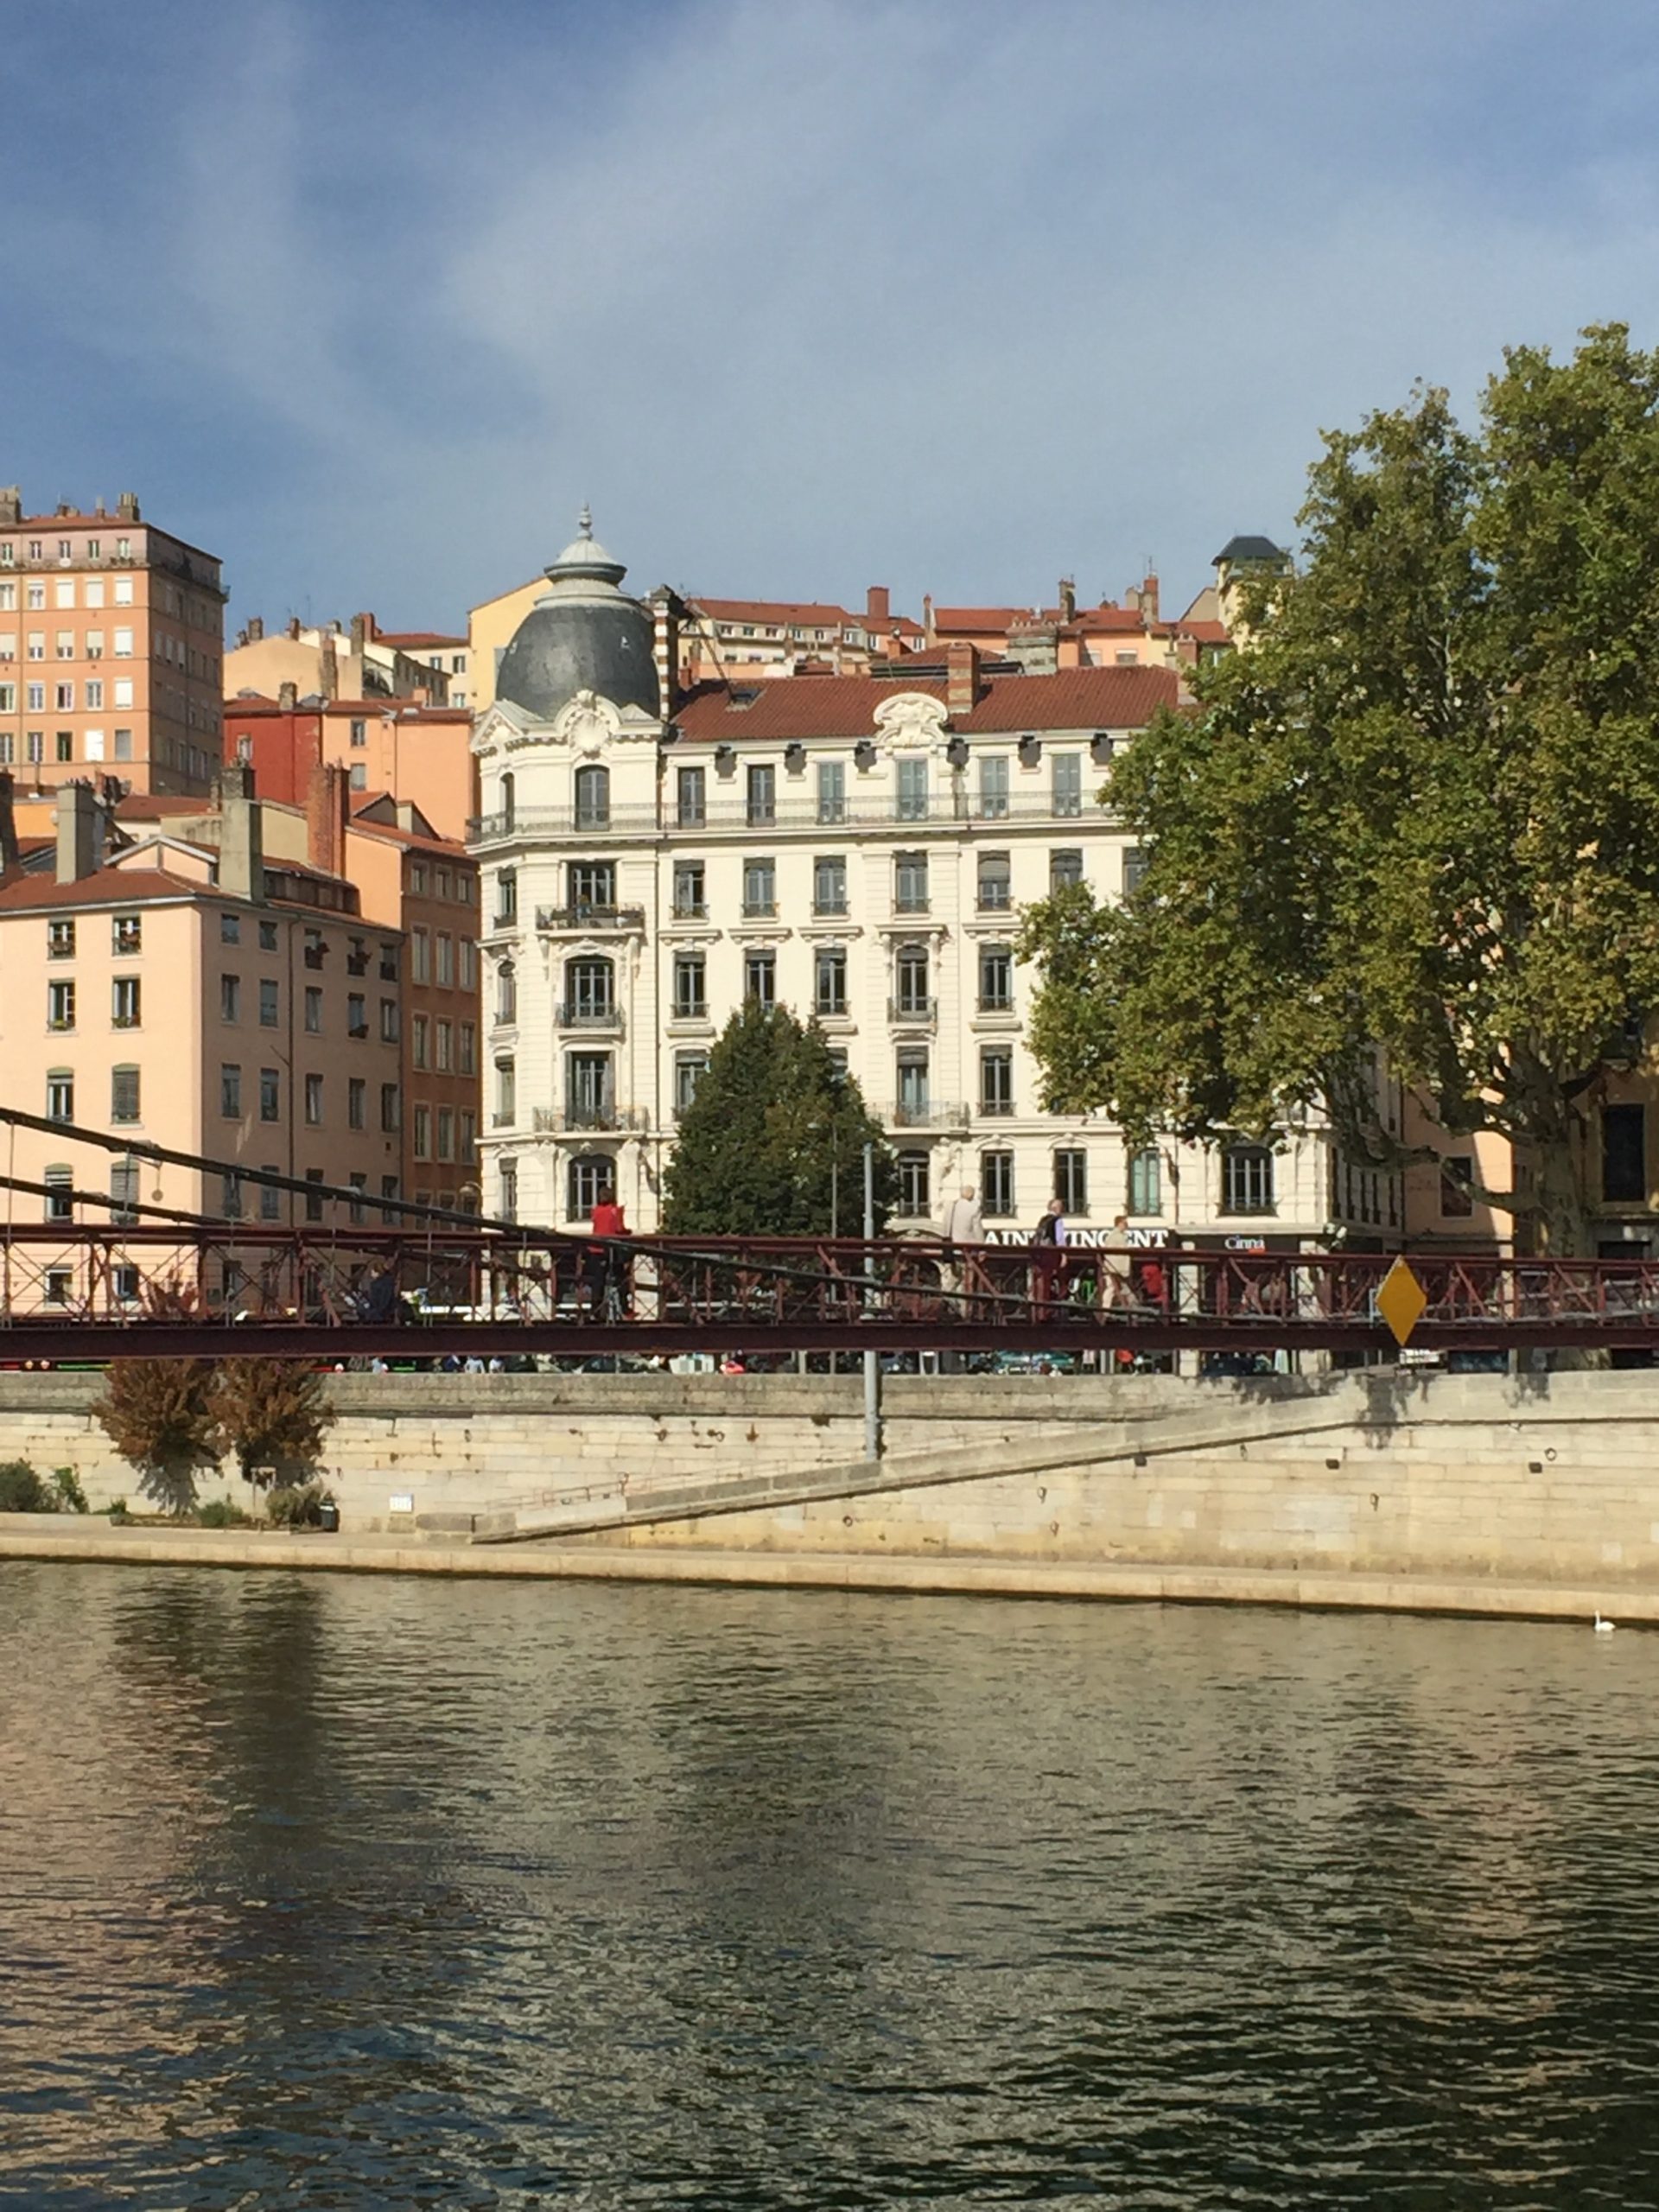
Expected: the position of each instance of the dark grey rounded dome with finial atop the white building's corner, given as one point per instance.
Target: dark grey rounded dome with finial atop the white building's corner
(581, 636)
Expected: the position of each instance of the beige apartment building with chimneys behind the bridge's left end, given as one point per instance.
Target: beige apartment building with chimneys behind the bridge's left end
(211, 1001)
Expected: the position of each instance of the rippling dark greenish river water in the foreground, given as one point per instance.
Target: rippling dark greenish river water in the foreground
(382, 1895)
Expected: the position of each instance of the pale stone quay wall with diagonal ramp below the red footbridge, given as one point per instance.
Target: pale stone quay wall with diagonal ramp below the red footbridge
(1538, 1479)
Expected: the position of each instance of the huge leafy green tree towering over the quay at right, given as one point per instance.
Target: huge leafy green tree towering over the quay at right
(1419, 813)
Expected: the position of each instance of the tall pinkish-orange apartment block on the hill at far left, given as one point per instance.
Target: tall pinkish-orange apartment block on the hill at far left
(112, 649)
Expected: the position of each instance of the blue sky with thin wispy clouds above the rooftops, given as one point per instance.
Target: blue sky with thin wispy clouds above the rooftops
(802, 295)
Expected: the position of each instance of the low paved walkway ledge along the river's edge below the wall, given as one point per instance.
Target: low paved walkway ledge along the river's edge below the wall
(70, 1538)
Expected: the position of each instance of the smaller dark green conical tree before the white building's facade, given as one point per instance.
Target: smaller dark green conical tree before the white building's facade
(775, 1140)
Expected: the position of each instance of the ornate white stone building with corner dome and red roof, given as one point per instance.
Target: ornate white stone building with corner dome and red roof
(853, 846)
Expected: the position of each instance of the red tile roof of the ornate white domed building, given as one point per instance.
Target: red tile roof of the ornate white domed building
(846, 707)
